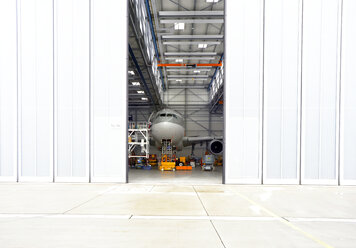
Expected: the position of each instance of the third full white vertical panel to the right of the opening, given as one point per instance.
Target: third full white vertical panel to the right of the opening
(320, 92)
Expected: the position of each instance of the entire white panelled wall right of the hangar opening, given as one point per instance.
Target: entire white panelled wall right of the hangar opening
(308, 91)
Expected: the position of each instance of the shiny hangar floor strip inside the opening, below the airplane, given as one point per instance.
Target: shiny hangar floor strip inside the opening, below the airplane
(195, 176)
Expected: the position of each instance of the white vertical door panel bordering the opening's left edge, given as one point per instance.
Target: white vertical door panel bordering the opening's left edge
(108, 87)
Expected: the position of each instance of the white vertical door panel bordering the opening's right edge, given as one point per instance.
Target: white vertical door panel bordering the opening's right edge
(243, 91)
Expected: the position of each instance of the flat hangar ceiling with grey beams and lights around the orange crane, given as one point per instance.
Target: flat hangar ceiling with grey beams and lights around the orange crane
(189, 32)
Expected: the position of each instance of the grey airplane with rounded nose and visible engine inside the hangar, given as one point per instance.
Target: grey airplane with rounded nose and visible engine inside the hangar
(169, 124)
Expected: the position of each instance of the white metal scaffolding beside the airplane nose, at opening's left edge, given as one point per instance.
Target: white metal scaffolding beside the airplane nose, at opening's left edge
(138, 135)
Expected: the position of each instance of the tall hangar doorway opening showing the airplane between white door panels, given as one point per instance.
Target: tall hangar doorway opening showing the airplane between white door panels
(175, 82)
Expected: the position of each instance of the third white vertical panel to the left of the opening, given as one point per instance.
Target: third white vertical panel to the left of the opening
(36, 89)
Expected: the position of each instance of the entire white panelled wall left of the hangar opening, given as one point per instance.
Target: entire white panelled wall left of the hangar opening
(63, 90)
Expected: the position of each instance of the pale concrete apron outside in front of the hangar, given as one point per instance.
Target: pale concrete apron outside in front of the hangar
(160, 215)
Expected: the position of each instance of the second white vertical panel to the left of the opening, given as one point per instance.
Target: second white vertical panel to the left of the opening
(71, 80)
